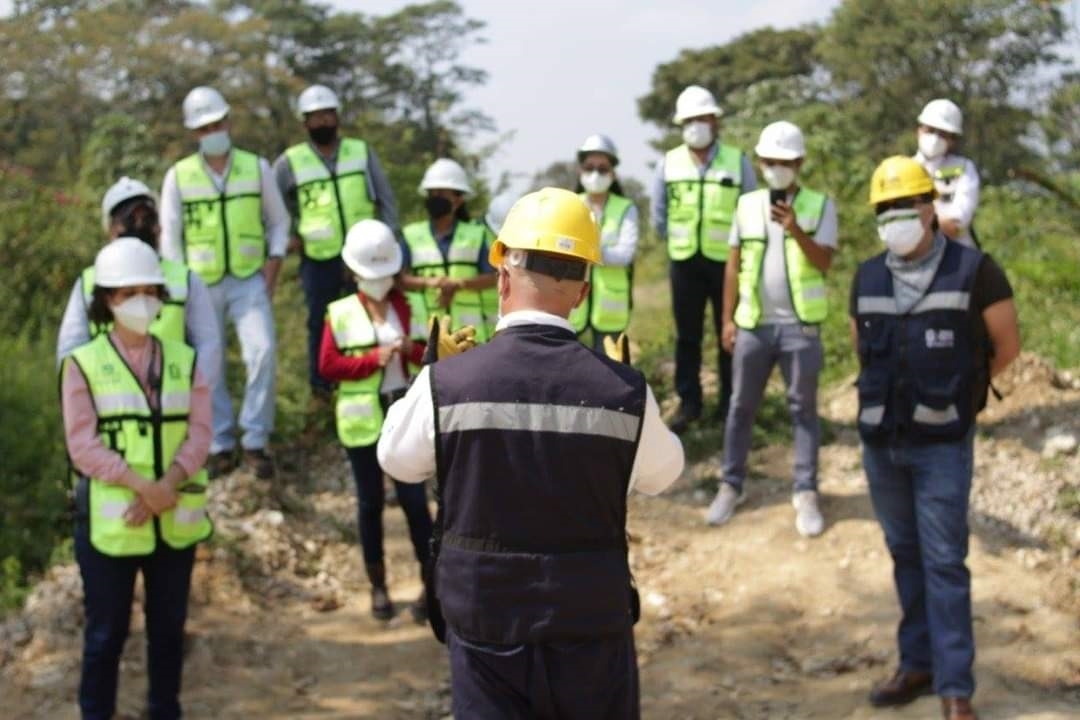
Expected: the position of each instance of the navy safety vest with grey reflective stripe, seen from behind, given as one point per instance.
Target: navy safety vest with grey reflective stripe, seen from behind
(537, 437)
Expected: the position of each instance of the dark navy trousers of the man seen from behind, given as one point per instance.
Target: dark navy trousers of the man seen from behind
(591, 680)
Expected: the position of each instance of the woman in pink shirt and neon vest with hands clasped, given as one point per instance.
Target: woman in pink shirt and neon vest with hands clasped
(138, 428)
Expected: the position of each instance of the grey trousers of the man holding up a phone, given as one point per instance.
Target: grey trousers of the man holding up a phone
(798, 350)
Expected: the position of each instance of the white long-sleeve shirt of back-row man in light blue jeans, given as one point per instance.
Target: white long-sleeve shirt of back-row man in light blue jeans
(171, 212)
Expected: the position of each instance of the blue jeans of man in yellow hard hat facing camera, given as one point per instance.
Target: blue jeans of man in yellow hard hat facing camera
(921, 498)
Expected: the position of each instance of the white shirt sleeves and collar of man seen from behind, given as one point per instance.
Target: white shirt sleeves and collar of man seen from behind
(407, 449)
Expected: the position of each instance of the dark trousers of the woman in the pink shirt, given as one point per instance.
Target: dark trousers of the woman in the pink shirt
(109, 586)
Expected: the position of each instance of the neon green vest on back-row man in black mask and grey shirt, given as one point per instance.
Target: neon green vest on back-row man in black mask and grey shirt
(330, 203)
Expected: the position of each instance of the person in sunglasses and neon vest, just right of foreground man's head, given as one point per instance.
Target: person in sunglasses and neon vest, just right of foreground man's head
(606, 310)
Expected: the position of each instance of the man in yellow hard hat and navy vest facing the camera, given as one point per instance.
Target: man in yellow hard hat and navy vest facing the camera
(933, 322)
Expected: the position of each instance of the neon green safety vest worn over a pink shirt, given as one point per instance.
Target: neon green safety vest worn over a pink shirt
(148, 440)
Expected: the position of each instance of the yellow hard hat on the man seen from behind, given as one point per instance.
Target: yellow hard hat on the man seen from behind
(549, 221)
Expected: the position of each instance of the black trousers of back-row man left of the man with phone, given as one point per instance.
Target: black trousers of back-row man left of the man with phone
(695, 283)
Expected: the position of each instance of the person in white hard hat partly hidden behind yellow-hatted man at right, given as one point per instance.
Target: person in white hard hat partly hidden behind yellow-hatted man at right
(956, 179)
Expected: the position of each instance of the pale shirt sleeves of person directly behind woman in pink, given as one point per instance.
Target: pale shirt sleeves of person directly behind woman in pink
(200, 328)
